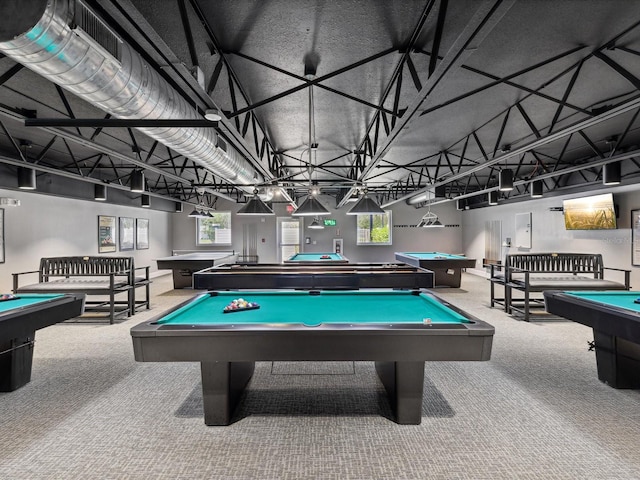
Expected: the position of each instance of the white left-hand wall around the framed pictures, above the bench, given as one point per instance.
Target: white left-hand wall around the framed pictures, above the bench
(51, 226)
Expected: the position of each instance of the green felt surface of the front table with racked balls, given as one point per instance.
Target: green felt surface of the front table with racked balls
(293, 307)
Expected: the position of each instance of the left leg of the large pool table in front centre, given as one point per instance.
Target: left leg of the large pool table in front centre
(222, 386)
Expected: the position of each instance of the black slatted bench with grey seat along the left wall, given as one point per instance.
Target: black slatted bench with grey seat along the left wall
(111, 277)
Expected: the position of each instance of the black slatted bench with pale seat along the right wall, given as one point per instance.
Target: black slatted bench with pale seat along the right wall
(535, 272)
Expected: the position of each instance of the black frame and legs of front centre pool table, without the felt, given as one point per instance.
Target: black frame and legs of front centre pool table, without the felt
(227, 354)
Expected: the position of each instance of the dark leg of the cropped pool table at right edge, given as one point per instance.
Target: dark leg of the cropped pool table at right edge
(618, 361)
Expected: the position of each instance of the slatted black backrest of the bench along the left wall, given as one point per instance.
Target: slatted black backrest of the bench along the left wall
(70, 266)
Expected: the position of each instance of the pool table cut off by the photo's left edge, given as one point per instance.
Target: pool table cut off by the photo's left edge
(19, 320)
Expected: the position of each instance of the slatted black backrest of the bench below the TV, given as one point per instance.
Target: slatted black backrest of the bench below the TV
(557, 262)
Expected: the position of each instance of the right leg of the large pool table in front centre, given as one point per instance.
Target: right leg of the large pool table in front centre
(404, 383)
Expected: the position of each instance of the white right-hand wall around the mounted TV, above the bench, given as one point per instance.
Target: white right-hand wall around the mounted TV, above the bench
(549, 233)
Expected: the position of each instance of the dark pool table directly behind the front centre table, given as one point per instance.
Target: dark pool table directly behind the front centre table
(332, 276)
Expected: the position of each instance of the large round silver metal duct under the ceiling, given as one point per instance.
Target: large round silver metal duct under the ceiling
(70, 46)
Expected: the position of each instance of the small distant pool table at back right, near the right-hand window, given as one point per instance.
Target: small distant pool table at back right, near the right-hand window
(446, 266)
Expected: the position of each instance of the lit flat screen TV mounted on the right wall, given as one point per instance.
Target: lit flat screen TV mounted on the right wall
(590, 213)
